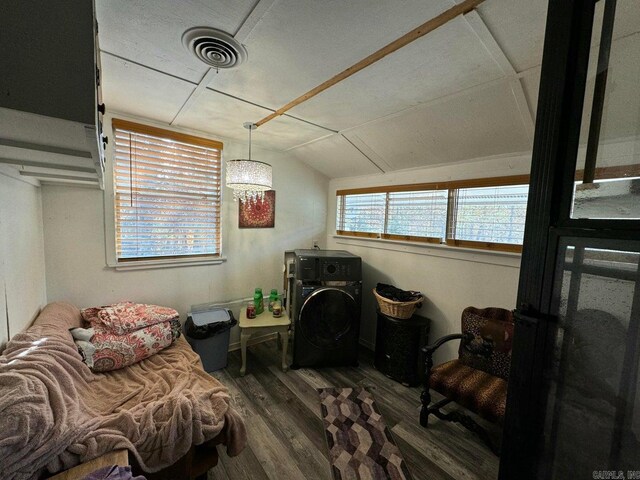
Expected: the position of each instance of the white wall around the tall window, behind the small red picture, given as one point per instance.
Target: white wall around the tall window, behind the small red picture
(74, 229)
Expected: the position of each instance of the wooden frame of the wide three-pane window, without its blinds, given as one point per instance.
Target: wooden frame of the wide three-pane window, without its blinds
(451, 187)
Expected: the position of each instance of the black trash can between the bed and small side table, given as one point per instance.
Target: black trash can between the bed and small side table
(208, 334)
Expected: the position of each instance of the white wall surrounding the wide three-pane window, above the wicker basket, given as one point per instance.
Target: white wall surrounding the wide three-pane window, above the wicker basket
(451, 278)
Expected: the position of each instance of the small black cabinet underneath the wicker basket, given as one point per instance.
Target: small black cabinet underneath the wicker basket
(398, 344)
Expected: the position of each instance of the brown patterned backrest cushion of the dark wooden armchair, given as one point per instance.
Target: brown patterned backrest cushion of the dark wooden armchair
(488, 337)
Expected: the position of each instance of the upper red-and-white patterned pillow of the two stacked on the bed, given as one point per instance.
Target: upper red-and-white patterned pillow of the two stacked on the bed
(126, 317)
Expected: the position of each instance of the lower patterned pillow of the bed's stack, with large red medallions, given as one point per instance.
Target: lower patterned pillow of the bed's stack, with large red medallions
(104, 351)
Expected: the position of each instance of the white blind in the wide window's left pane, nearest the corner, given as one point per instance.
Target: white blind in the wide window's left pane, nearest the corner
(362, 213)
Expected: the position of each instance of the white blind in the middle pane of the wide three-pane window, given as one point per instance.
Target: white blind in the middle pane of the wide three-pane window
(418, 214)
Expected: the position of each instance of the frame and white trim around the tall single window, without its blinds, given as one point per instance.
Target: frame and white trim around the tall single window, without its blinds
(140, 263)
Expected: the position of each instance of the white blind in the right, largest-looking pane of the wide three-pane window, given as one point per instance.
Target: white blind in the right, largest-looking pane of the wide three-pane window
(490, 214)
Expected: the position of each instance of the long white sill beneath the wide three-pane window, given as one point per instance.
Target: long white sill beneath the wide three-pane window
(492, 257)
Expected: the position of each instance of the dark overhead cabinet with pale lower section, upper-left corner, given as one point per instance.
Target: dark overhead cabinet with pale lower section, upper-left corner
(50, 90)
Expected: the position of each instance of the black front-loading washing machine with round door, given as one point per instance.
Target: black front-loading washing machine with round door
(326, 294)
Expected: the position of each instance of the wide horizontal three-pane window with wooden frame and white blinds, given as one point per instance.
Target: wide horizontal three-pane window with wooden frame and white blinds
(484, 213)
